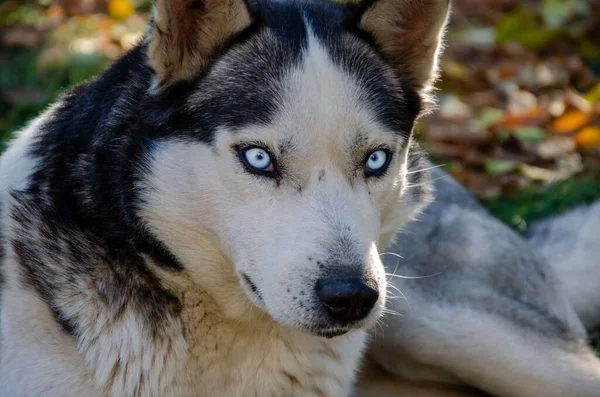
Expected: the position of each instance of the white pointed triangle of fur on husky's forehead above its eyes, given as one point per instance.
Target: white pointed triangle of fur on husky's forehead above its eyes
(324, 109)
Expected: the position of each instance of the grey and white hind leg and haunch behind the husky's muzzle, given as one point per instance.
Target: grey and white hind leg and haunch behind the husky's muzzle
(490, 311)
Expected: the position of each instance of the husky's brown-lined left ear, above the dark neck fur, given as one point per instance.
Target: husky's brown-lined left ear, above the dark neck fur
(183, 34)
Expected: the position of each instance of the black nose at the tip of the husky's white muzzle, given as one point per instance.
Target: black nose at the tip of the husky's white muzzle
(346, 299)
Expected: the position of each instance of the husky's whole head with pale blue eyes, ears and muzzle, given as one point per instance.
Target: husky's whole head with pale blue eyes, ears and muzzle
(282, 155)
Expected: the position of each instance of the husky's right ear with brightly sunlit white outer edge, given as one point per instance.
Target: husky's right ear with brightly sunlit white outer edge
(408, 32)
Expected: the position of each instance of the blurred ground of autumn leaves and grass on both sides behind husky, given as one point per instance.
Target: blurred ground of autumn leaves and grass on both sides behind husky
(518, 122)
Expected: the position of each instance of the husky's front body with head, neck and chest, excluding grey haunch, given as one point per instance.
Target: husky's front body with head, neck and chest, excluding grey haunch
(205, 218)
